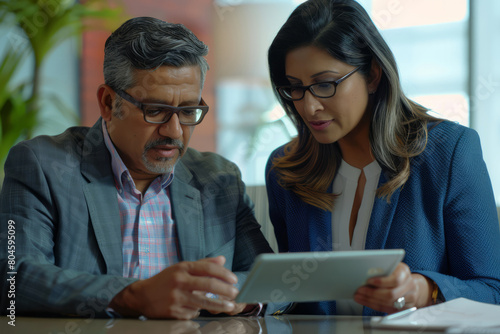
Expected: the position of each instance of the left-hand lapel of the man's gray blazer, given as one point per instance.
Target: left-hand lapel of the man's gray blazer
(100, 194)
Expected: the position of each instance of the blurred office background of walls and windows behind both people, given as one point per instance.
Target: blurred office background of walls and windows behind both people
(447, 52)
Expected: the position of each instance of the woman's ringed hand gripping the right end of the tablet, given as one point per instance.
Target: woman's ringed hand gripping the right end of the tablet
(380, 293)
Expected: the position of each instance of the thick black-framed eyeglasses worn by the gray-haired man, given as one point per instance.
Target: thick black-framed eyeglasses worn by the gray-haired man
(161, 113)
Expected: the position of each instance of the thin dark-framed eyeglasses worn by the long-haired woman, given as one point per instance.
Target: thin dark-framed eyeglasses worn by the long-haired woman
(323, 89)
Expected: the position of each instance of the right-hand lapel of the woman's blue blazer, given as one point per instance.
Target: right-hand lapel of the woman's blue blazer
(381, 218)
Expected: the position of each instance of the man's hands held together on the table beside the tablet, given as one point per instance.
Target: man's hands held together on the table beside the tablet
(170, 294)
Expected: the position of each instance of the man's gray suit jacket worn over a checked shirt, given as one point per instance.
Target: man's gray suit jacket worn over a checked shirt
(60, 193)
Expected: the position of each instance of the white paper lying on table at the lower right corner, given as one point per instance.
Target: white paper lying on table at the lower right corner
(460, 312)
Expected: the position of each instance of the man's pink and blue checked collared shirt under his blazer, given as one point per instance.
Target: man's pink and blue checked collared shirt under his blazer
(149, 236)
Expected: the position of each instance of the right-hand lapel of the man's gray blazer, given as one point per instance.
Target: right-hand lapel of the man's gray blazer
(187, 214)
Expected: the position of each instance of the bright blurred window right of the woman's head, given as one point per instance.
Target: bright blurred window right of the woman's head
(430, 42)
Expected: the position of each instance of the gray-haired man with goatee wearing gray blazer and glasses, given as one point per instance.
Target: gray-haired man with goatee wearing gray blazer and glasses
(123, 217)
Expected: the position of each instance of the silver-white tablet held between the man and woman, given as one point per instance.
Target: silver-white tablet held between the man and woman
(314, 276)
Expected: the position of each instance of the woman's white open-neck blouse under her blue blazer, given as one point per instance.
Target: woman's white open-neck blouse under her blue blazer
(345, 185)
